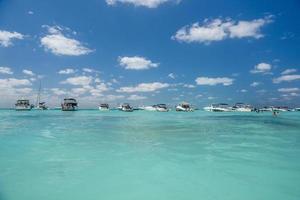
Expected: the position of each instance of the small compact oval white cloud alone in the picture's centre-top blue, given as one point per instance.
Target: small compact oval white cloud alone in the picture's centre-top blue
(136, 63)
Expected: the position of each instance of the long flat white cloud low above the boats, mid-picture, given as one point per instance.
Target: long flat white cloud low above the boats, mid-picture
(144, 87)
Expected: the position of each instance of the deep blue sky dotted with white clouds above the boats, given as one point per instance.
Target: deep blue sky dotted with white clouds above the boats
(150, 51)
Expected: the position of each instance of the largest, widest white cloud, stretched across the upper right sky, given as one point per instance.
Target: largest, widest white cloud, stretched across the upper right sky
(218, 29)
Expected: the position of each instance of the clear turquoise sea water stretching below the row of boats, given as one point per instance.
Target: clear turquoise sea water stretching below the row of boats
(92, 155)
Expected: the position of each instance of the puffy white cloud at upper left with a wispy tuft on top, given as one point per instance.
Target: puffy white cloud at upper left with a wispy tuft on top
(59, 44)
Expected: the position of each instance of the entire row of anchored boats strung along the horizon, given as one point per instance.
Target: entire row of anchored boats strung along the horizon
(70, 104)
